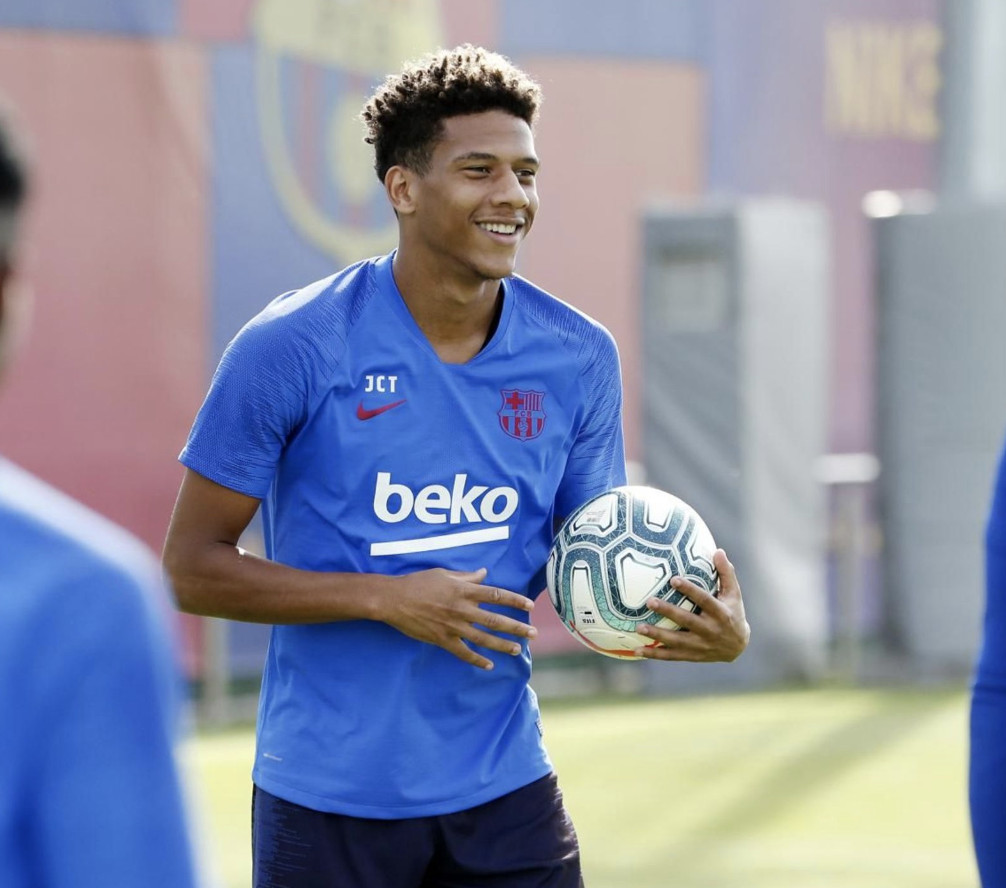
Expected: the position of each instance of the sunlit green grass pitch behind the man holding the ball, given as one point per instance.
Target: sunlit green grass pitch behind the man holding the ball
(810, 789)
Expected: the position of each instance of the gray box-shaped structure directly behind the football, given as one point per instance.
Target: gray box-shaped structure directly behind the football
(736, 405)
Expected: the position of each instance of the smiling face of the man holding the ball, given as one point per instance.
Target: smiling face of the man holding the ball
(468, 215)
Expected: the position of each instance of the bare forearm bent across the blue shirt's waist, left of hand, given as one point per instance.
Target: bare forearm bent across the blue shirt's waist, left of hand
(223, 581)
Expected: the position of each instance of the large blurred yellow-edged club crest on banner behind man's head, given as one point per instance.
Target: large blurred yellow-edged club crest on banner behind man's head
(316, 64)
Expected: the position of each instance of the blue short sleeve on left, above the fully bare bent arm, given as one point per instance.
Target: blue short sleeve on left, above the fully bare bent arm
(257, 400)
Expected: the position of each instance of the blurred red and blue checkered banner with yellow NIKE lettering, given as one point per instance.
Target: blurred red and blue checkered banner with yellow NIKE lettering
(195, 160)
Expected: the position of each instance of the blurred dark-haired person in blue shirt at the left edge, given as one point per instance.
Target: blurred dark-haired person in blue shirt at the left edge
(90, 795)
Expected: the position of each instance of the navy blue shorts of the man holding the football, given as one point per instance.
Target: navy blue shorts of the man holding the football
(523, 840)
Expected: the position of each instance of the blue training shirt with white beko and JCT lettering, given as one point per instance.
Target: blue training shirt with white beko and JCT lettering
(372, 455)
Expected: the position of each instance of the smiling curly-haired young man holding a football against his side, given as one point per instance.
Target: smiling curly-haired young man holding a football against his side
(414, 428)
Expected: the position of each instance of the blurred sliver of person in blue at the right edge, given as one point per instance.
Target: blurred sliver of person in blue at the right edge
(988, 705)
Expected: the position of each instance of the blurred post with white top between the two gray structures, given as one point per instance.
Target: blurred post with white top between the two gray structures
(850, 476)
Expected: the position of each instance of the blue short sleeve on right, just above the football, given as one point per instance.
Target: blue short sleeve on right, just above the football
(597, 460)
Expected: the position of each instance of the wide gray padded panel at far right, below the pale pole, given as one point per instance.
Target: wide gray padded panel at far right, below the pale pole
(942, 293)
